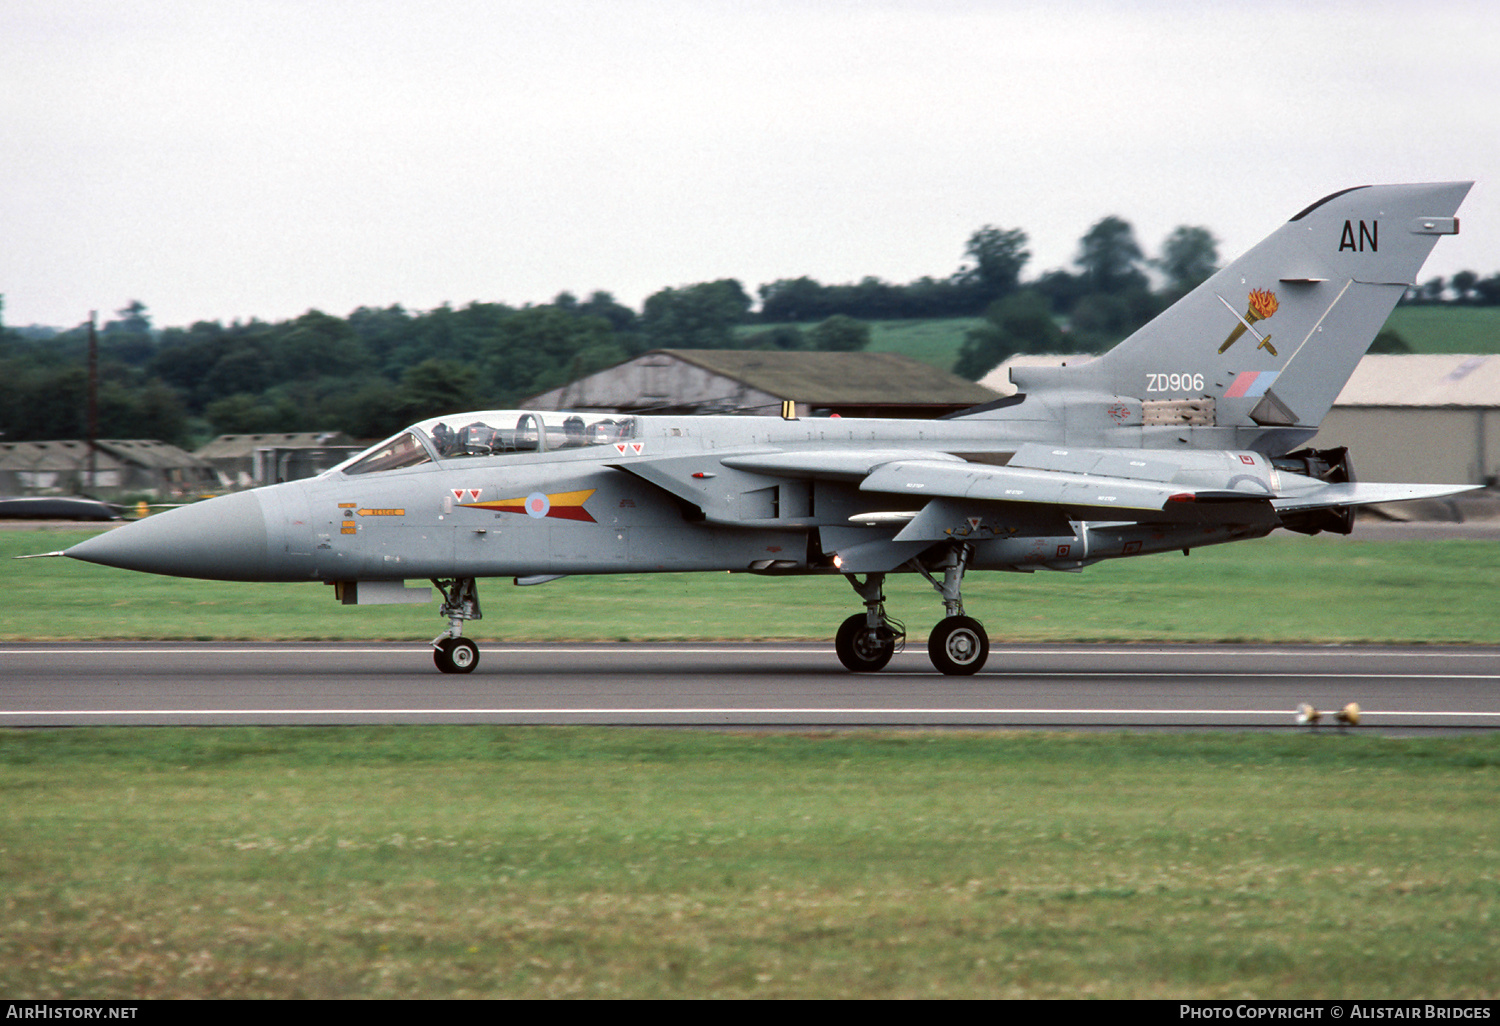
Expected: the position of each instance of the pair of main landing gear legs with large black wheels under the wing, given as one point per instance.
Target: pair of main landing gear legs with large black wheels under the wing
(958, 646)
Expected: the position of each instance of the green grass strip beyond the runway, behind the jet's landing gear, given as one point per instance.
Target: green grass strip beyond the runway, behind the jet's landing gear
(1286, 589)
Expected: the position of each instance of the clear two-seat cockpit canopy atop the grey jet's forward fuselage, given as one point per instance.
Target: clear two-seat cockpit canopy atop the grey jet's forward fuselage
(499, 433)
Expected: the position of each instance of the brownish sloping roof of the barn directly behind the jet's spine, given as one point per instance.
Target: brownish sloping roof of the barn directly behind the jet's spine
(839, 379)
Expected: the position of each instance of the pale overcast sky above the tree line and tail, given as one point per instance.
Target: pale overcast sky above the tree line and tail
(223, 160)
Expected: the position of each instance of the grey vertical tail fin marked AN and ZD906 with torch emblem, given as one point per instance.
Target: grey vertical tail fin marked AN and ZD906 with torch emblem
(1271, 340)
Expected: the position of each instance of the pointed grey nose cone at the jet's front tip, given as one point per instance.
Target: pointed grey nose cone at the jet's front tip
(223, 539)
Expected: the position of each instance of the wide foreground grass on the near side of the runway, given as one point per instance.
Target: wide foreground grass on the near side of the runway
(548, 863)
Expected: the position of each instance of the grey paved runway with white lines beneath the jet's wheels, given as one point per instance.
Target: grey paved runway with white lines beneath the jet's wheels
(769, 686)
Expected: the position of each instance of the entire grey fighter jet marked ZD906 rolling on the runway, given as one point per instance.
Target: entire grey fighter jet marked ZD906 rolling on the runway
(1187, 434)
